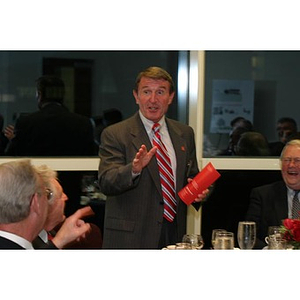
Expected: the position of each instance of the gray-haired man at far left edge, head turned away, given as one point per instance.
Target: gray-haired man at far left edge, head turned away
(23, 205)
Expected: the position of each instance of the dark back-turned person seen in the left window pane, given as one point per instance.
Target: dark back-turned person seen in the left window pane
(52, 130)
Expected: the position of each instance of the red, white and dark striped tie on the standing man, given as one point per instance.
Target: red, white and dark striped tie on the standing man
(166, 175)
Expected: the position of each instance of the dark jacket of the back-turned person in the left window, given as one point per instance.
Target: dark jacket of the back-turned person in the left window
(53, 131)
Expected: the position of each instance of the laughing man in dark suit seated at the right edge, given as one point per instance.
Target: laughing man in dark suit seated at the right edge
(271, 204)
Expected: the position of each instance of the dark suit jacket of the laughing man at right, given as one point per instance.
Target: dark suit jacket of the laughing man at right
(268, 207)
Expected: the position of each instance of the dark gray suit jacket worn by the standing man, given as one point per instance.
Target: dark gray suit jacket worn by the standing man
(134, 208)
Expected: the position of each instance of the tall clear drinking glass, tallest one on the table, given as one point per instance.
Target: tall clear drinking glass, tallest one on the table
(246, 234)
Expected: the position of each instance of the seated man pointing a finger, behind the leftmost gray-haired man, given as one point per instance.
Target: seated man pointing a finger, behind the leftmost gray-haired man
(69, 230)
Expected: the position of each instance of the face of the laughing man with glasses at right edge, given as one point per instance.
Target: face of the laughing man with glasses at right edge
(290, 167)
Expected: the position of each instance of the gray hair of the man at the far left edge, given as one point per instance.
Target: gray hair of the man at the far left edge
(19, 181)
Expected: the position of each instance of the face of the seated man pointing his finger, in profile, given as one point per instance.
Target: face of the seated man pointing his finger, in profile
(56, 208)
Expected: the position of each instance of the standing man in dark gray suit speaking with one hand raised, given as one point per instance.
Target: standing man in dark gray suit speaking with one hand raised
(129, 173)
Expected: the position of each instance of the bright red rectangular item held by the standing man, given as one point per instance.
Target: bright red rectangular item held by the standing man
(206, 177)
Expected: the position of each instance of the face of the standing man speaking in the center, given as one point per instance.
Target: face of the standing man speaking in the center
(153, 98)
